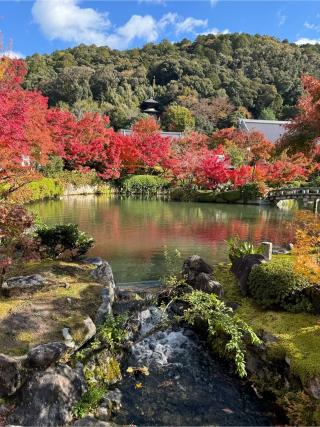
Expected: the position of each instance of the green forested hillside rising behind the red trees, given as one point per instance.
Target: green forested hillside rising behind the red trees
(218, 78)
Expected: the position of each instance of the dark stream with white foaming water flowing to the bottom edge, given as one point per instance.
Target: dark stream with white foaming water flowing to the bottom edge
(185, 385)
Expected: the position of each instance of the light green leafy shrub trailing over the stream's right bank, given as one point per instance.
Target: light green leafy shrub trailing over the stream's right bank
(226, 331)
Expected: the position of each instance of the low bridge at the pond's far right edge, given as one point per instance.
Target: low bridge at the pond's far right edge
(306, 194)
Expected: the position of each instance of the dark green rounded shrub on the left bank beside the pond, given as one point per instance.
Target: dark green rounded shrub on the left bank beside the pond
(61, 238)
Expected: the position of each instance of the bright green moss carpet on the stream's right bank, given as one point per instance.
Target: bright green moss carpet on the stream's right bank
(298, 335)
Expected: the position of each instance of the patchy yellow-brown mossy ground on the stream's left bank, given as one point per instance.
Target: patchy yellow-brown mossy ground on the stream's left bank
(38, 317)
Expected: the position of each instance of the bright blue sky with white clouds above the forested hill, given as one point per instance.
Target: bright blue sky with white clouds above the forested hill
(47, 25)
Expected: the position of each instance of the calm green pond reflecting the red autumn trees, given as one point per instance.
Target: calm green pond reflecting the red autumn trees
(131, 234)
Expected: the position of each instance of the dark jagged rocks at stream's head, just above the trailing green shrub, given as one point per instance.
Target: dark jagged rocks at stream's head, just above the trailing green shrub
(199, 275)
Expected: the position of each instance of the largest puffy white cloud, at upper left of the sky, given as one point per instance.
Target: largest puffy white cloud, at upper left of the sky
(65, 20)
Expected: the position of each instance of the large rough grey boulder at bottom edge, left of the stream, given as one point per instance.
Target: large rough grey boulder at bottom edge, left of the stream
(48, 398)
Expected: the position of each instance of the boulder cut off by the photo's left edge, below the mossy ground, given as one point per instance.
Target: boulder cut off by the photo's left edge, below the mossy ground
(11, 374)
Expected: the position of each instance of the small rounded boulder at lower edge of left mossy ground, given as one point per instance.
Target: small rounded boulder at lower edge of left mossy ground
(44, 355)
